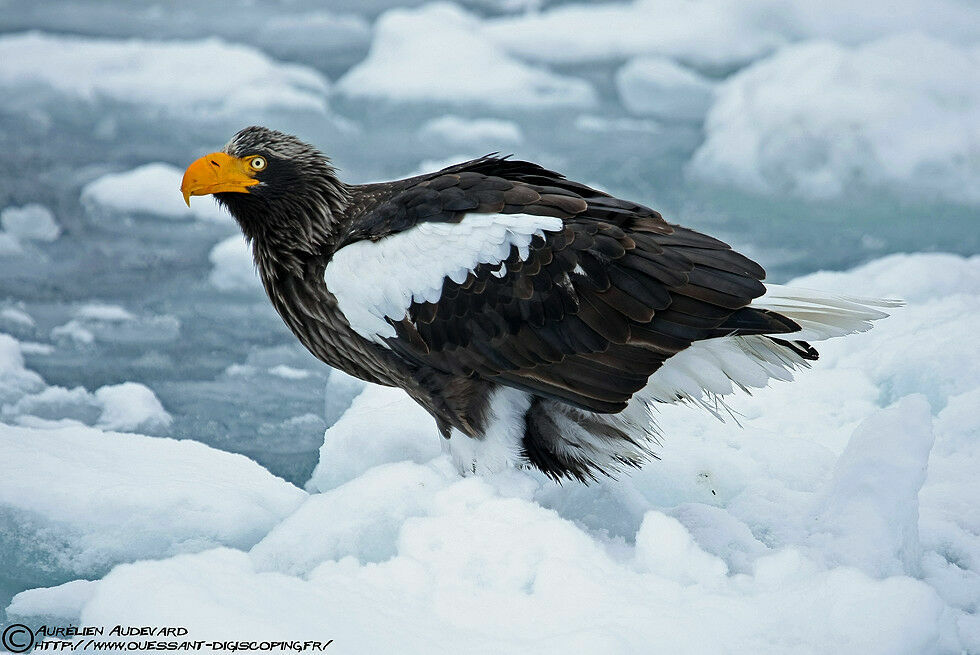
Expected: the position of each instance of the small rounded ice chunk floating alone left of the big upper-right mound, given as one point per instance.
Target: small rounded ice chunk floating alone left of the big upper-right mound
(660, 87)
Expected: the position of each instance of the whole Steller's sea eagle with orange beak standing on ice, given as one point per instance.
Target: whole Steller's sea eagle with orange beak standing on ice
(539, 321)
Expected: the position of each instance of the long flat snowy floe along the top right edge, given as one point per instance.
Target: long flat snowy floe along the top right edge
(718, 34)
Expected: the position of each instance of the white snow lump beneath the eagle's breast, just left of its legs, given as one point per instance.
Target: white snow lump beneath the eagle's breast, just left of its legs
(359, 441)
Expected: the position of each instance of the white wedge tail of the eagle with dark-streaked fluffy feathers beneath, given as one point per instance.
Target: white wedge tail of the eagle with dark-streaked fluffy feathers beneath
(765, 341)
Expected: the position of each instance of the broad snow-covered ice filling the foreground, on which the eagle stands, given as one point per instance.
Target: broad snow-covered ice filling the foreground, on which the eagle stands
(840, 517)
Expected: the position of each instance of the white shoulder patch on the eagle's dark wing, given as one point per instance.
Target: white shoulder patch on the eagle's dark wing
(374, 280)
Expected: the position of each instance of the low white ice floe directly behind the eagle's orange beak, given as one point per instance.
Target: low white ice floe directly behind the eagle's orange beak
(149, 189)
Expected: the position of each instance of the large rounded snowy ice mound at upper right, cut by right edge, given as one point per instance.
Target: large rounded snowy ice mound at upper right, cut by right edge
(819, 119)
